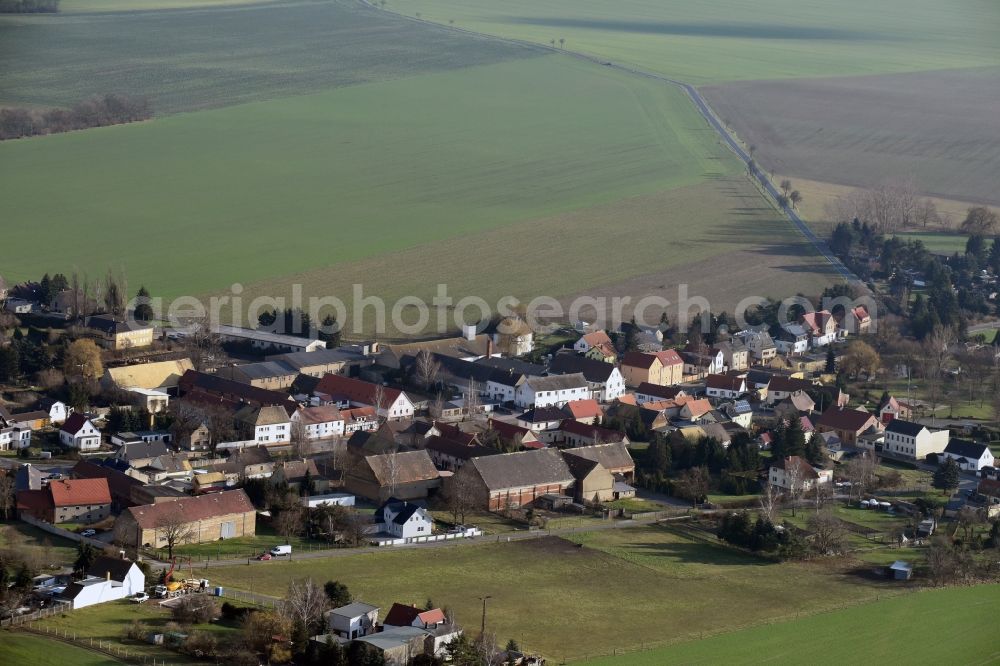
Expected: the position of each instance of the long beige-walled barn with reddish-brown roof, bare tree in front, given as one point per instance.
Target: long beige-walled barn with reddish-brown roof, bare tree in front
(200, 519)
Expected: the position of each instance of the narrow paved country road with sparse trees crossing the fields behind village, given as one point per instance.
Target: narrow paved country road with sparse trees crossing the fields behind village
(703, 108)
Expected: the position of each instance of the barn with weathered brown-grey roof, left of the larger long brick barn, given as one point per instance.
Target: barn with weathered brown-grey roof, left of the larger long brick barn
(405, 475)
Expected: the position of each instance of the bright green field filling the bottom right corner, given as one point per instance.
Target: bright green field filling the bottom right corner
(888, 631)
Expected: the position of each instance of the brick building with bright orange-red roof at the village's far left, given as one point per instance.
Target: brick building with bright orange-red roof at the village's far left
(67, 501)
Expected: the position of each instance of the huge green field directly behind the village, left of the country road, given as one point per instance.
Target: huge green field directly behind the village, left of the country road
(529, 141)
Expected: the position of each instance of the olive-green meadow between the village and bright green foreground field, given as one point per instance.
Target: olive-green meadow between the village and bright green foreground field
(675, 586)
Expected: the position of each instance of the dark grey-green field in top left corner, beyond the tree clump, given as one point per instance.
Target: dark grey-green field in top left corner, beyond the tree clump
(220, 56)
